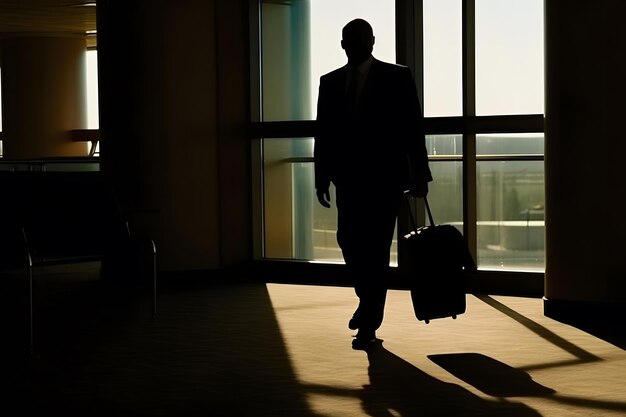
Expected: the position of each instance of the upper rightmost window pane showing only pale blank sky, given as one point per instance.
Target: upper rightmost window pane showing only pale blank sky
(509, 57)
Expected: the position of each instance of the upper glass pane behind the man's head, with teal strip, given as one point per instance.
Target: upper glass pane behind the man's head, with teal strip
(301, 40)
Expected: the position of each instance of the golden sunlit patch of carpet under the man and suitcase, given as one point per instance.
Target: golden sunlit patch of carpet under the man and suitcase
(503, 350)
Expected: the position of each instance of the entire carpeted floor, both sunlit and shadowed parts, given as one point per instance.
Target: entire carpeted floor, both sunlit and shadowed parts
(284, 350)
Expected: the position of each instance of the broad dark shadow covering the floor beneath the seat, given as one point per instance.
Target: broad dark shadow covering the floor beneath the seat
(213, 350)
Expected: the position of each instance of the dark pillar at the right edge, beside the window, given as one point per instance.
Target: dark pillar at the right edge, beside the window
(584, 157)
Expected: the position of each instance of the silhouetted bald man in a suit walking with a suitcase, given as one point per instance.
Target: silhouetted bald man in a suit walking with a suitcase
(370, 145)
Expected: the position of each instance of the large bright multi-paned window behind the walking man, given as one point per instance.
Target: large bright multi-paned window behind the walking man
(479, 67)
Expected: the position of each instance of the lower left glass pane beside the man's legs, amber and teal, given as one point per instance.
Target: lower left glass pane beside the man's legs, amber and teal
(296, 225)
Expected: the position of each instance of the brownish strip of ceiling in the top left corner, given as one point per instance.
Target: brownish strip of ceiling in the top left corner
(61, 17)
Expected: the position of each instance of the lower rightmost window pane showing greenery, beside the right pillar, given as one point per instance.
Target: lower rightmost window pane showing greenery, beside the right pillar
(510, 206)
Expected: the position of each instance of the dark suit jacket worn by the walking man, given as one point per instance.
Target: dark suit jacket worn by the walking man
(378, 144)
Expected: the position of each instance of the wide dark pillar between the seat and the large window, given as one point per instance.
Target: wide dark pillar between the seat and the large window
(174, 112)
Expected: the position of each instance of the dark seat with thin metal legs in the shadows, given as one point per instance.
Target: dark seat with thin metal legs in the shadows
(69, 217)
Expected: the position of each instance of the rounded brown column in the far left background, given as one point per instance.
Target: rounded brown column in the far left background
(43, 96)
